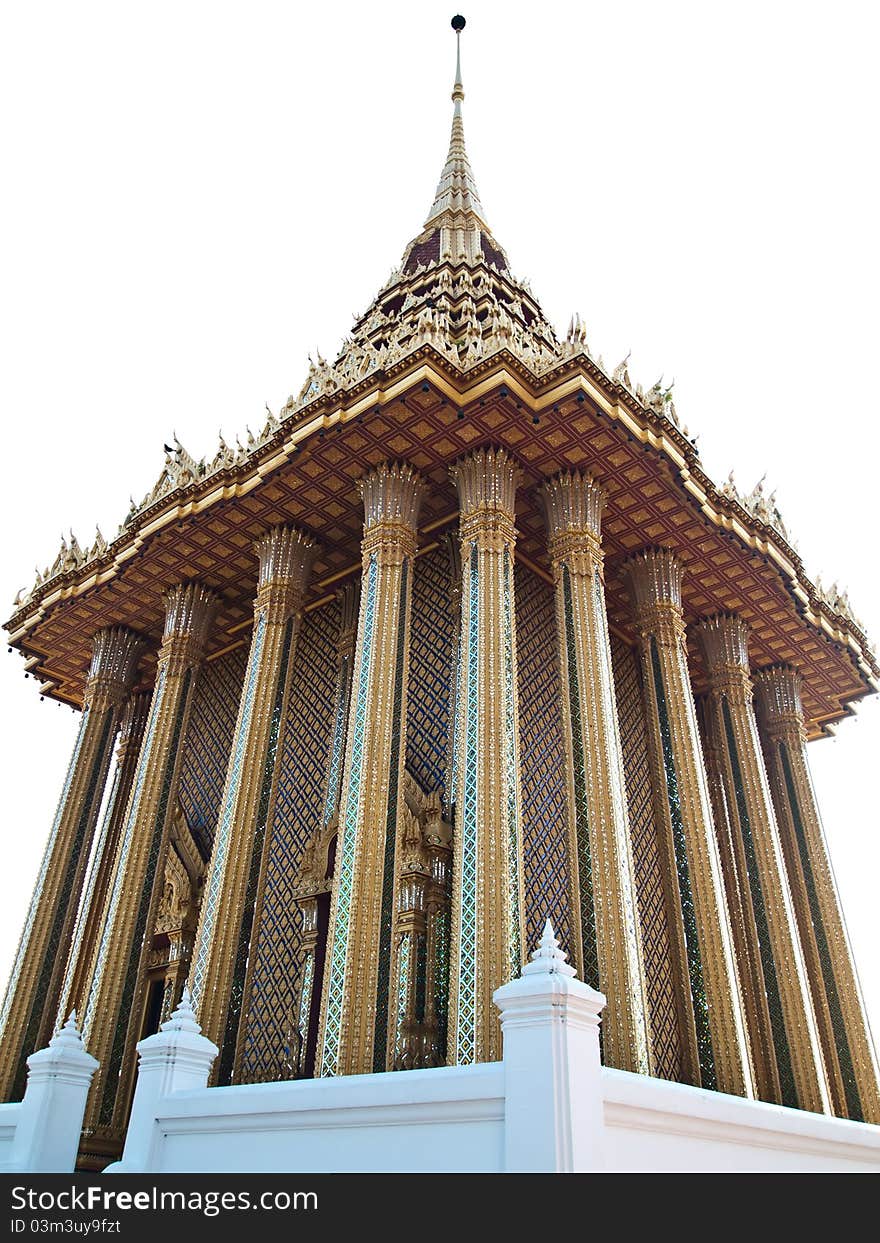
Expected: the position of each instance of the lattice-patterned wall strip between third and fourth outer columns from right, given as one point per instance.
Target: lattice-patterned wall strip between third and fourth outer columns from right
(649, 882)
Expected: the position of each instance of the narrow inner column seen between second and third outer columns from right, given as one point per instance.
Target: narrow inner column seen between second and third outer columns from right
(756, 1011)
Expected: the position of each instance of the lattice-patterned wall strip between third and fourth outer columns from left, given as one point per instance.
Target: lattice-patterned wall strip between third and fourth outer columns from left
(305, 759)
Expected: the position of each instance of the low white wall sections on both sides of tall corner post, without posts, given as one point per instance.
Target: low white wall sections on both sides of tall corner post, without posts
(453, 1119)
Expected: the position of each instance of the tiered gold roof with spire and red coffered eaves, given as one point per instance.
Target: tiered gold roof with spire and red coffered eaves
(454, 351)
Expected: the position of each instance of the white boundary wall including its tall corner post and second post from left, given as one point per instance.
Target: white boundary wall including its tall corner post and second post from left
(549, 1106)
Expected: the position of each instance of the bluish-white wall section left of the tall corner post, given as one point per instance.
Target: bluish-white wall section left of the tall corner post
(426, 1121)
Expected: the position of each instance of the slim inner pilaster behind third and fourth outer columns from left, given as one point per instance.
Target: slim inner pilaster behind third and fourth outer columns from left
(314, 883)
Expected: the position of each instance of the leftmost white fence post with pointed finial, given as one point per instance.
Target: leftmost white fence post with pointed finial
(50, 1122)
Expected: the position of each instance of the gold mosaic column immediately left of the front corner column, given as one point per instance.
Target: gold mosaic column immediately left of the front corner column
(355, 1036)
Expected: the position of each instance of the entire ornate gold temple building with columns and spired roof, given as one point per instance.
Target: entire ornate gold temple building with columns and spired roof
(464, 640)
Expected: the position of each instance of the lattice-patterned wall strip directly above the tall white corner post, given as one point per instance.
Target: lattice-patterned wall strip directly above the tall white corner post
(543, 761)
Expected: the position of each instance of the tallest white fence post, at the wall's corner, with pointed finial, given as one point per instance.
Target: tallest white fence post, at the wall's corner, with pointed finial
(554, 1104)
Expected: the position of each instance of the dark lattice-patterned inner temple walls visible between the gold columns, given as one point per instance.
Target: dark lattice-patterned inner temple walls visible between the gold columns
(304, 774)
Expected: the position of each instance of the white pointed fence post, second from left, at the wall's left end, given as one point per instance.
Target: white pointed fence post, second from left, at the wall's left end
(178, 1058)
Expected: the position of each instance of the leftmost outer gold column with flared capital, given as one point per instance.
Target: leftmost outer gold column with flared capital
(34, 991)
